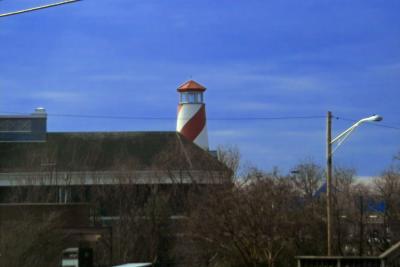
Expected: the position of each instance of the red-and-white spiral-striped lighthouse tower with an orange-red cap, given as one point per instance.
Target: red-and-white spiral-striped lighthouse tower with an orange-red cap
(191, 121)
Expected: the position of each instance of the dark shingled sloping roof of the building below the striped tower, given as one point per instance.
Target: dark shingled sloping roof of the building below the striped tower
(101, 151)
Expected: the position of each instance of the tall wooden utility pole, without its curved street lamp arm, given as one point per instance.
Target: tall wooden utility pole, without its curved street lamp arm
(329, 182)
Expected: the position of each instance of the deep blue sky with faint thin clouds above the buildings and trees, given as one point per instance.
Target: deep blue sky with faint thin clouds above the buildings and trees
(257, 59)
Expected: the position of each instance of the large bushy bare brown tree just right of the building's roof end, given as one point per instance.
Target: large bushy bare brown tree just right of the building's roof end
(245, 225)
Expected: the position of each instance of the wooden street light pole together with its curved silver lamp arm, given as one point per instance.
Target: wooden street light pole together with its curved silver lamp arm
(329, 142)
